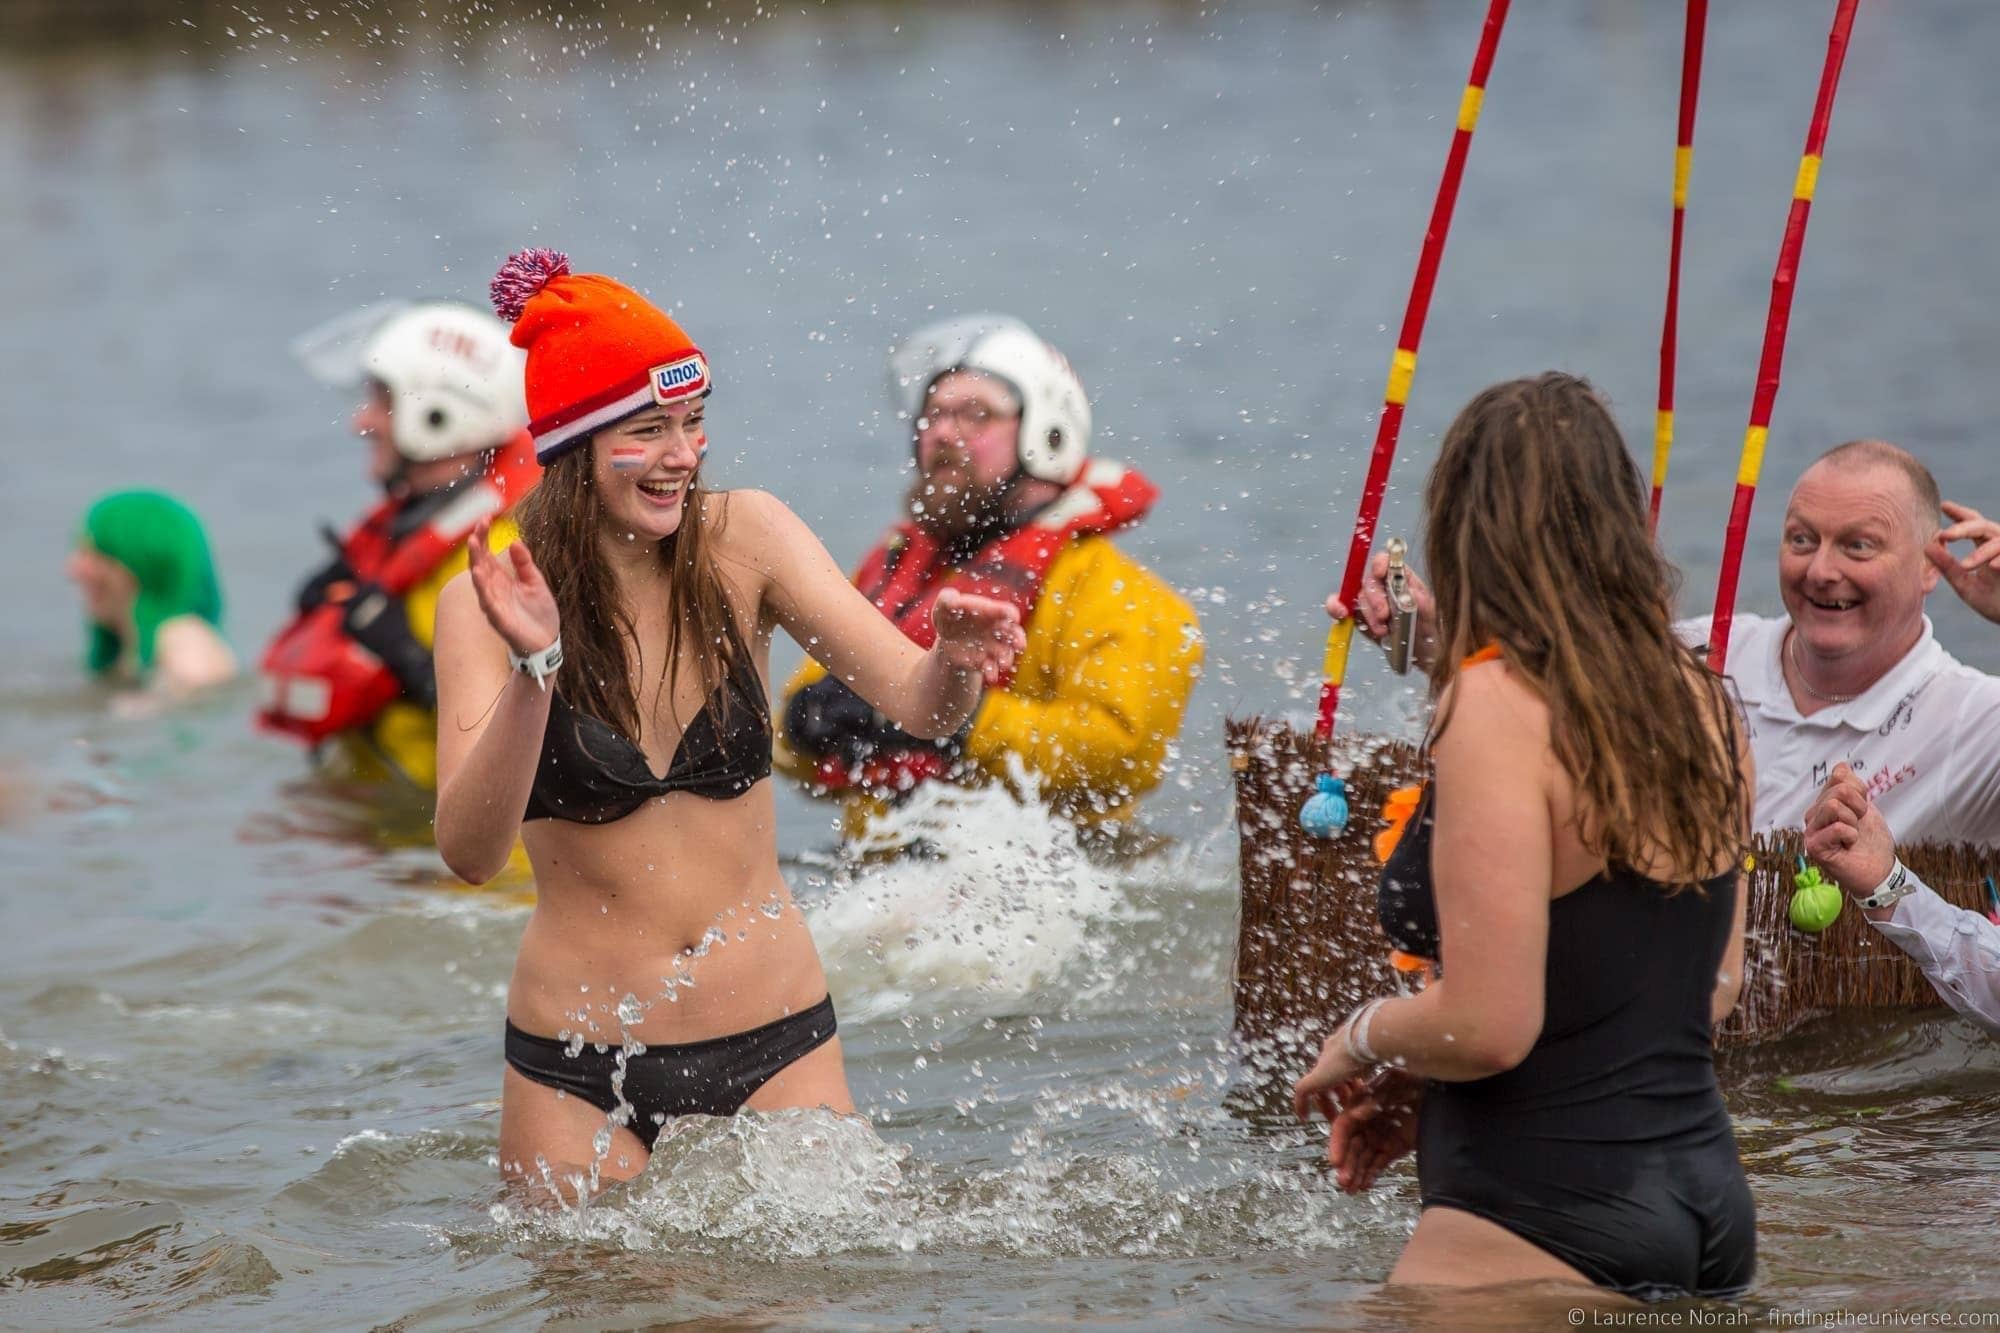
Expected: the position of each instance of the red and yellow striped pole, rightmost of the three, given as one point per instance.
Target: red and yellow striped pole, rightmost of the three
(1775, 329)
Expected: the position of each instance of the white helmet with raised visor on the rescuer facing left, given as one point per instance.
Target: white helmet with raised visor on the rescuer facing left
(455, 381)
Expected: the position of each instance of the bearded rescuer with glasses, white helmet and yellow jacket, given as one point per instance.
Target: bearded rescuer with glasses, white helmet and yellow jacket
(1009, 503)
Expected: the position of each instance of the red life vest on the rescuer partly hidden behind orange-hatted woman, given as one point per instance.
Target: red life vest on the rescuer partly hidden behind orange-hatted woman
(317, 680)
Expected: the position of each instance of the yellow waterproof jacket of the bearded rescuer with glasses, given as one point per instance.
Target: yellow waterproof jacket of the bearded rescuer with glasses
(1099, 694)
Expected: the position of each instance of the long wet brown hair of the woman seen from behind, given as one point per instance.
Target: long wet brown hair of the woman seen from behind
(1537, 541)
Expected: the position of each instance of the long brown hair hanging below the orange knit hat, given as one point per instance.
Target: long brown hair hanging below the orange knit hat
(559, 523)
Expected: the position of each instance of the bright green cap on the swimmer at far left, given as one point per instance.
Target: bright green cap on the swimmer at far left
(161, 541)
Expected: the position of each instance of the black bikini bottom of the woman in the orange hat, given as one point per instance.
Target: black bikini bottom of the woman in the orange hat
(701, 1078)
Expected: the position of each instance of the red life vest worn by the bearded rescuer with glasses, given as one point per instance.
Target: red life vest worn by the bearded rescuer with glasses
(905, 573)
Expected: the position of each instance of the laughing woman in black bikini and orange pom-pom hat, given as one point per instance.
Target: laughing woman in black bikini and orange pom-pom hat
(605, 698)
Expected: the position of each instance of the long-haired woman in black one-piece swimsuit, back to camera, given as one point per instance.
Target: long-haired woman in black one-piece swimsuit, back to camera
(1573, 872)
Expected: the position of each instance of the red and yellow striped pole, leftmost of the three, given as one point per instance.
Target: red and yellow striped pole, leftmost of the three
(1403, 365)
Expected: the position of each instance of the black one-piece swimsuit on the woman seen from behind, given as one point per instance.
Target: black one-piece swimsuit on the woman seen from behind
(1609, 1146)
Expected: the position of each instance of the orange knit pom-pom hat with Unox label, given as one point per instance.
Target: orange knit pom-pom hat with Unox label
(597, 349)
